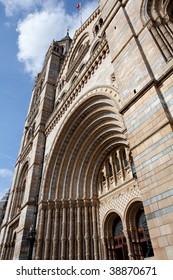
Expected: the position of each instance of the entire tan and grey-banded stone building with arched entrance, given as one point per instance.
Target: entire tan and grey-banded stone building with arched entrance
(94, 175)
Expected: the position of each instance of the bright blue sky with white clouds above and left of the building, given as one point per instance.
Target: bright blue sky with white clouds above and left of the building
(27, 27)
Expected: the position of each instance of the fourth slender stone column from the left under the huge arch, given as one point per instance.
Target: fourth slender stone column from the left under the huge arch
(64, 233)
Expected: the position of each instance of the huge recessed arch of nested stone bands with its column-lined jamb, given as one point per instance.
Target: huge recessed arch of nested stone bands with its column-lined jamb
(68, 226)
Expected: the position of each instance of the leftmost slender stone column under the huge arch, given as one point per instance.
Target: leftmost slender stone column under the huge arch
(40, 235)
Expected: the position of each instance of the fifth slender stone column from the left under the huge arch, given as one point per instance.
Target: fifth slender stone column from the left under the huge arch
(71, 235)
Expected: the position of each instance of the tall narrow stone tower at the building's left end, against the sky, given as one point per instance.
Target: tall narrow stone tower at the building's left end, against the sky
(22, 207)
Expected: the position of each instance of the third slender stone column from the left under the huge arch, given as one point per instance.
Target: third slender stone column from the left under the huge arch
(56, 231)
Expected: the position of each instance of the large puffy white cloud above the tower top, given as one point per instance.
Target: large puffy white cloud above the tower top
(39, 28)
